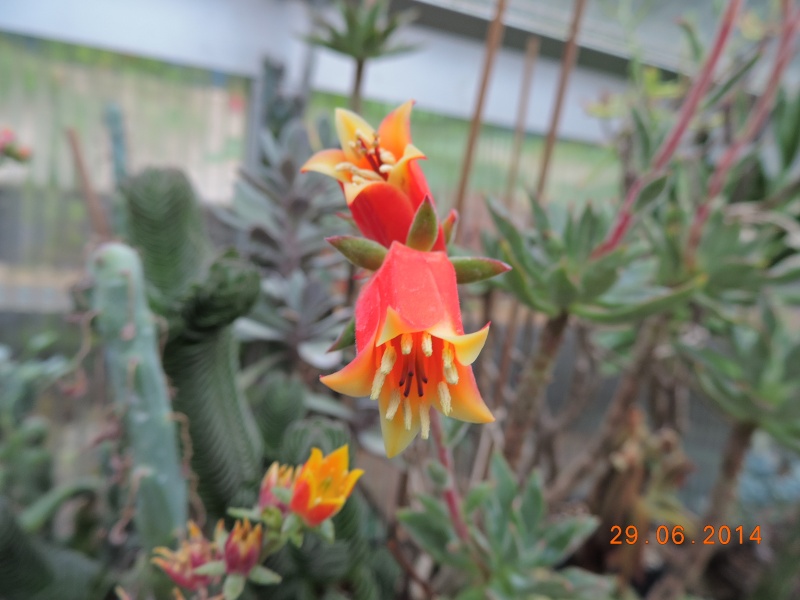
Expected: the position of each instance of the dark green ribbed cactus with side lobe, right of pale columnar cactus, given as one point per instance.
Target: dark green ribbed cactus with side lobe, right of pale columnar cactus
(199, 296)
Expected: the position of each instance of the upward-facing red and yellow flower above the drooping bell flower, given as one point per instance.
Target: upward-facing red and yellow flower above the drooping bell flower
(382, 182)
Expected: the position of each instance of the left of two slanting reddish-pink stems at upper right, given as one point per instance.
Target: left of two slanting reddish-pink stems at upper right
(667, 149)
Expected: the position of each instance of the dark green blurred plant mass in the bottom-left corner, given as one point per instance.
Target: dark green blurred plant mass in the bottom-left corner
(30, 570)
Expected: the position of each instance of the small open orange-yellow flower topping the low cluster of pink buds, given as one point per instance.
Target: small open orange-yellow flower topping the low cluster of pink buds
(323, 485)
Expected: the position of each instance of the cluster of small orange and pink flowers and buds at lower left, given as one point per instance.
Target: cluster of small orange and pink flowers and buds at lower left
(314, 492)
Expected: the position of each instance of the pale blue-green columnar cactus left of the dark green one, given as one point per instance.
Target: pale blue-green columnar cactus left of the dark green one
(130, 339)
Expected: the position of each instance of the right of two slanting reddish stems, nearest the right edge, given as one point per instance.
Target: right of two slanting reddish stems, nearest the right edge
(754, 124)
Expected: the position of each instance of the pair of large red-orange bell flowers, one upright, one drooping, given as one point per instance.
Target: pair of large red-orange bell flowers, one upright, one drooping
(412, 352)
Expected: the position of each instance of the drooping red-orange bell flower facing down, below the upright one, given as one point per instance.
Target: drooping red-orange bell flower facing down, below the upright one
(412, 353)
